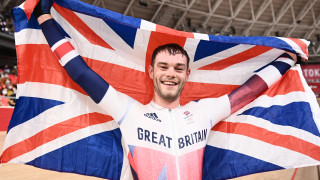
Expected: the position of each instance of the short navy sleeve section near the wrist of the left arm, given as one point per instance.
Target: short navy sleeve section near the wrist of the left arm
(51, 31)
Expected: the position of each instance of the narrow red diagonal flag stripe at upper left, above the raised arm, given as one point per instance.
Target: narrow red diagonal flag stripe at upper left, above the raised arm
(81, 27)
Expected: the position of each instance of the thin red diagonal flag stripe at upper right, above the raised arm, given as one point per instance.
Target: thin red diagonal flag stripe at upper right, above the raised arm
(239, 57)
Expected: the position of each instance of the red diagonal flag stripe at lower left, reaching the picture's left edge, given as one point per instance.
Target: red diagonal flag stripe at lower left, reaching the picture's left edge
(53, 133)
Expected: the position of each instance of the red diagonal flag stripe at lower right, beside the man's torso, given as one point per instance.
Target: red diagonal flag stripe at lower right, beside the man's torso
(251, 131)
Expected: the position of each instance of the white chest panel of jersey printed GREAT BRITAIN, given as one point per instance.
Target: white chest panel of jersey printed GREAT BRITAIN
(176, 131)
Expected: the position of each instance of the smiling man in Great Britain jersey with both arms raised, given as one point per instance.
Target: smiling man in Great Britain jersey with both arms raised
(163, 139)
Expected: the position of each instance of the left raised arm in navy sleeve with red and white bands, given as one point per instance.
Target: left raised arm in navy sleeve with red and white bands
(78, 70)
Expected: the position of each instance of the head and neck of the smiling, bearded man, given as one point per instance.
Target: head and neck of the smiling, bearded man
(169, 71)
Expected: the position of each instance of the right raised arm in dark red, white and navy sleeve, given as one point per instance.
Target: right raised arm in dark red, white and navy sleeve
(261, 81)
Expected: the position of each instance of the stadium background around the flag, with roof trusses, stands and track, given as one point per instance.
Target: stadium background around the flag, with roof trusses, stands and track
(284, 18)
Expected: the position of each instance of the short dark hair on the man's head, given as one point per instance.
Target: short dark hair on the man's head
(173, 49)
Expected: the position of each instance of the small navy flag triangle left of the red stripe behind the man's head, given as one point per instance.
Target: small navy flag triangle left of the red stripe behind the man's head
(127, 33)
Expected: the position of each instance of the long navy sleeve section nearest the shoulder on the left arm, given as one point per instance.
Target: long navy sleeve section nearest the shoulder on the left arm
(94, 85)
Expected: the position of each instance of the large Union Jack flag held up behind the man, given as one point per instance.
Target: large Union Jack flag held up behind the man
(56, 126)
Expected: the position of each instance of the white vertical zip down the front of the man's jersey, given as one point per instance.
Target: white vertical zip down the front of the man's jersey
(175, 145)
